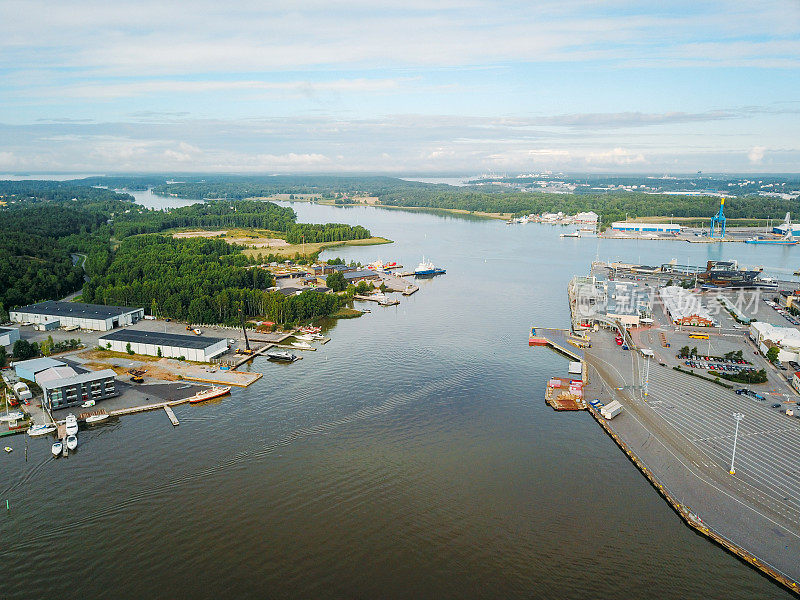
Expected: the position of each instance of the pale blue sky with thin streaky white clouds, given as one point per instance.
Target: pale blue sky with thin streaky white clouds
(400, 87)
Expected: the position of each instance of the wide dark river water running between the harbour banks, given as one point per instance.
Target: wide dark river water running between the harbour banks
(411, 457)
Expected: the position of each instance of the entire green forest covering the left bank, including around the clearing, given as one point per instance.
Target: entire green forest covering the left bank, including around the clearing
(203, 281)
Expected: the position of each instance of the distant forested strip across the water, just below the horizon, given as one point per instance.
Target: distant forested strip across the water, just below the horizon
(611, 205)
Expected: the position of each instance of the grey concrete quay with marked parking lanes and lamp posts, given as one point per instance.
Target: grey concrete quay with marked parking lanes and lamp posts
(673, 438)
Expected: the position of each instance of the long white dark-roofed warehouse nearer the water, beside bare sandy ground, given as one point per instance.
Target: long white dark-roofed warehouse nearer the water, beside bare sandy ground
(171, 345)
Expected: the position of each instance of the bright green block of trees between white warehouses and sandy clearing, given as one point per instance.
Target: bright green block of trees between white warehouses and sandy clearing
(200, 281)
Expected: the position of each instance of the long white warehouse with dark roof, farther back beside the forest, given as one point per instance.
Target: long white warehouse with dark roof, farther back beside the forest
(97, 317)
